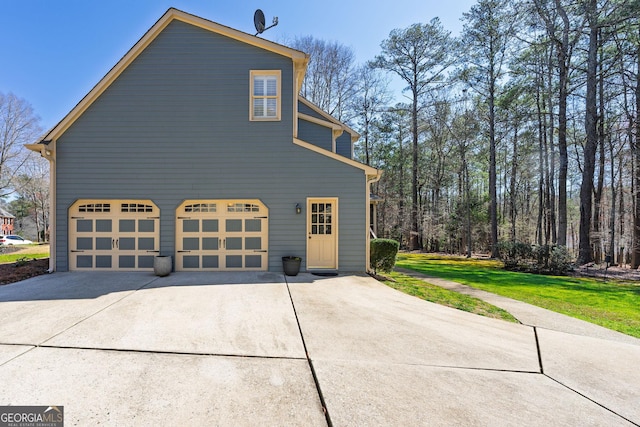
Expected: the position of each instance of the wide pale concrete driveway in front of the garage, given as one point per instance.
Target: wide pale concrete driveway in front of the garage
(262, 349)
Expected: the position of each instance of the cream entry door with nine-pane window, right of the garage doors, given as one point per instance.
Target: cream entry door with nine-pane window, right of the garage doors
(322, 231)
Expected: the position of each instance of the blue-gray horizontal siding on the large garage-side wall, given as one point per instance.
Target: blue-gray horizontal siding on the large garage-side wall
(175, 125)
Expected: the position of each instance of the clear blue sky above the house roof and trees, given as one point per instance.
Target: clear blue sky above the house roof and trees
(55, 51)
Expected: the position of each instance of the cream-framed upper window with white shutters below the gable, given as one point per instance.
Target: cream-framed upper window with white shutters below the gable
(265, 95)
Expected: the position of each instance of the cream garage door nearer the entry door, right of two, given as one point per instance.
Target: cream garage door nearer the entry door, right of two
(221, 235)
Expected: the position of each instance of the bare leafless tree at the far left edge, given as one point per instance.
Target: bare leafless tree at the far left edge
(18, 126)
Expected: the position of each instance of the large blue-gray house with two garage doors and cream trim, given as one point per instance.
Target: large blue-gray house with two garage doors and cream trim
(197, 145)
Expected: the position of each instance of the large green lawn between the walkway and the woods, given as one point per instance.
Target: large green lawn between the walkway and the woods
(612, 304)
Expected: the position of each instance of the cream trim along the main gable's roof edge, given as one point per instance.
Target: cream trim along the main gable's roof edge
(300, 60)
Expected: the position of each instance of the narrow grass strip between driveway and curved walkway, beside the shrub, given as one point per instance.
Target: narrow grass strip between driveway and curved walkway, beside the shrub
(436, 294)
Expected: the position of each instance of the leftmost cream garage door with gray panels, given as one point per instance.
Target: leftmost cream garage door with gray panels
(113, 235)
